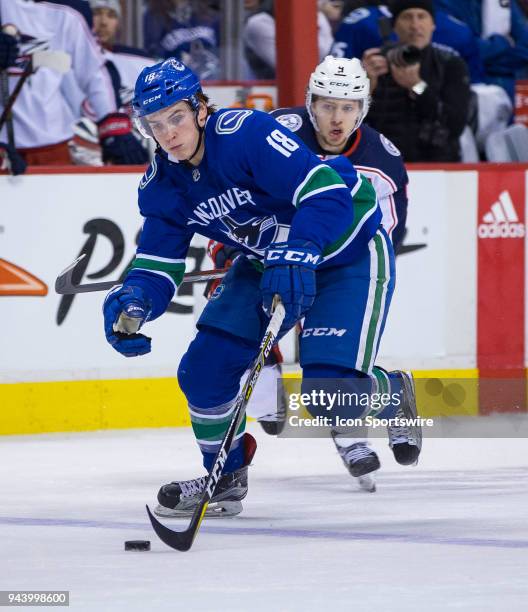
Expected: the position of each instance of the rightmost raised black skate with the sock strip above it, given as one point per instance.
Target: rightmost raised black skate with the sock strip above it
(406, 442)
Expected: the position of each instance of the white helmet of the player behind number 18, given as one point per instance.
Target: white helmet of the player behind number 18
(342, 78)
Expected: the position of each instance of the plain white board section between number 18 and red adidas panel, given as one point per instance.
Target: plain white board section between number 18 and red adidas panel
(432, 319)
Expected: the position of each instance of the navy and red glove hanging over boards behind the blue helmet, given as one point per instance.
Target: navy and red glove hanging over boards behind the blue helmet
(119, 145)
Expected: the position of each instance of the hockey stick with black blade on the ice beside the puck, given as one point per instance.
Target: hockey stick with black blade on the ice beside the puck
(182, 540)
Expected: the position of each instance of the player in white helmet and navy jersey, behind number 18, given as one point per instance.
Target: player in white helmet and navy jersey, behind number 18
(331, 124)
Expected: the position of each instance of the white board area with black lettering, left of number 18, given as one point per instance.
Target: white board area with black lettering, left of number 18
(43, 219)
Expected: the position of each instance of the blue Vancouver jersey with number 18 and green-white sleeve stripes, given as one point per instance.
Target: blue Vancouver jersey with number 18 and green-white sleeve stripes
(257, 184)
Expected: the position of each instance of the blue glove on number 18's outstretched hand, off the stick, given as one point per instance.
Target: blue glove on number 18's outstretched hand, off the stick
(125, 310)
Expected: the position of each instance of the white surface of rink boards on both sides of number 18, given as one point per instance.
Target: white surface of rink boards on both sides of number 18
(42, 231)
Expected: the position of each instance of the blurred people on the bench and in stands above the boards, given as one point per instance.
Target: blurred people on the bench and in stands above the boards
(443, 73)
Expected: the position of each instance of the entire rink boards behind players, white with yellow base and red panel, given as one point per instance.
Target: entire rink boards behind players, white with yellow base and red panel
(57, 373)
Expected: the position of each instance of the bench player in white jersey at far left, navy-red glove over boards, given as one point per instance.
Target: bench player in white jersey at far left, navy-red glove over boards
(41, 113)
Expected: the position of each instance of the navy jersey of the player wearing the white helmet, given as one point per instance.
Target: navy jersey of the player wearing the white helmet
(372, 155)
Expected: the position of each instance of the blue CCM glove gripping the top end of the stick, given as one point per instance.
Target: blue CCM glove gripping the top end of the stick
(289, 270)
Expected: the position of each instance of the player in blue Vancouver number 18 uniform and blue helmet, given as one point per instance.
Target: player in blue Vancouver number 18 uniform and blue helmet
(239, 177)
